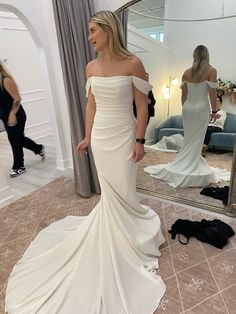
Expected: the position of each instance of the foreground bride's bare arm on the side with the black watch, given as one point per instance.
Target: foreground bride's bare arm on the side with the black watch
(141, 101)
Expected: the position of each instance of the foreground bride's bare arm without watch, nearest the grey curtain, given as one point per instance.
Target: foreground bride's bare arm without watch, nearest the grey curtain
(89, 118)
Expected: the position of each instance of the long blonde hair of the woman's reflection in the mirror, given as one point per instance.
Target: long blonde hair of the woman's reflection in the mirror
(200, 62)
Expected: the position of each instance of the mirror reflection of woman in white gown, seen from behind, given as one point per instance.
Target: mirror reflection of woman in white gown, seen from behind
(190, 169)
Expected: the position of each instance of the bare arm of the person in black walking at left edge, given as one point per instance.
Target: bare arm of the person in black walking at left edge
(11, 87)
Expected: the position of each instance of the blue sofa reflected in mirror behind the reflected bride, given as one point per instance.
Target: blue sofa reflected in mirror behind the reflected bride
(219, 140)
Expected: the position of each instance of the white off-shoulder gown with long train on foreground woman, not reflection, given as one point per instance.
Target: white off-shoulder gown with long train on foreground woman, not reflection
(103, 263)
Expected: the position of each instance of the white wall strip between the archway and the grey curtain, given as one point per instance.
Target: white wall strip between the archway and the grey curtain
(37, 17)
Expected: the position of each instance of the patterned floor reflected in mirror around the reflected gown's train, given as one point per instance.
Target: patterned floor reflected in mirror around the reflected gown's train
(146, 182)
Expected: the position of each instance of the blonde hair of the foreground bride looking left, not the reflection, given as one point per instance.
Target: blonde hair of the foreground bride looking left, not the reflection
(109, 23)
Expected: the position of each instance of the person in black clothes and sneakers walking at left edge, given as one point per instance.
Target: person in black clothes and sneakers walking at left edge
(14, 117)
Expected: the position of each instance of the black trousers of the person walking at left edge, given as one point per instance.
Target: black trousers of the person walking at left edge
(18, 140)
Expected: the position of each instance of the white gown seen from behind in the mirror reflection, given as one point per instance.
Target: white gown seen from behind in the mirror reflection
(190, 169)
